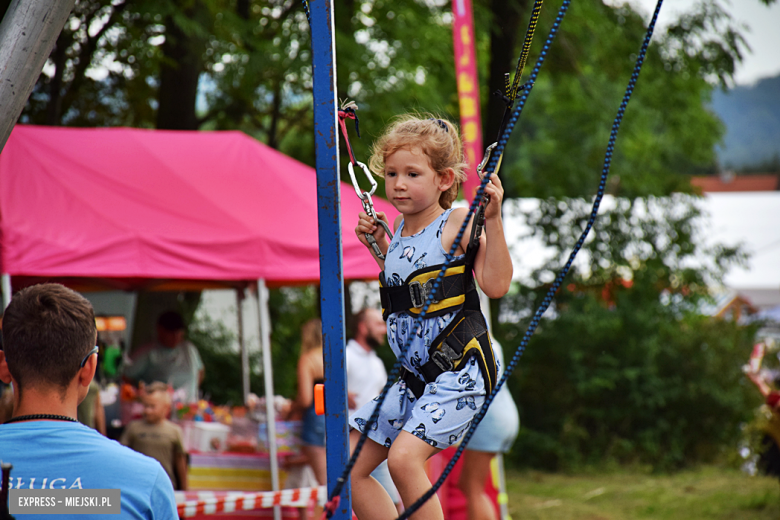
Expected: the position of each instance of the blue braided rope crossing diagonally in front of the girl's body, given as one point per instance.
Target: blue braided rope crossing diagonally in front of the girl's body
(492, 164)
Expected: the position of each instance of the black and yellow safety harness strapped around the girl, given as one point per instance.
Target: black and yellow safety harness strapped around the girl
(465, 337)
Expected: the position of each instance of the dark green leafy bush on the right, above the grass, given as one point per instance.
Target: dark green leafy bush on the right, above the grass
(625, 368)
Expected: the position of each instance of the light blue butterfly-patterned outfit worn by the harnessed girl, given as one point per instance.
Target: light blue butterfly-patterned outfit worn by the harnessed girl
(444, 412)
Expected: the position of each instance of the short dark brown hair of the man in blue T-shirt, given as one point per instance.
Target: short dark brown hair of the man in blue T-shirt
(48, 329)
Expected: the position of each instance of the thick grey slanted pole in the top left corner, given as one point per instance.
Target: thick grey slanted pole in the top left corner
(28, 32)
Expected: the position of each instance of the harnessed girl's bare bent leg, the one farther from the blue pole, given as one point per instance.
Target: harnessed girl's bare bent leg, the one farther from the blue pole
(406, 461)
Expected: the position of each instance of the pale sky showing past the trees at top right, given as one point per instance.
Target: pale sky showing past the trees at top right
(763, 36)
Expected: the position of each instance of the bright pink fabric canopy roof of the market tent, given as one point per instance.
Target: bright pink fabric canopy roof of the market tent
(126, 206)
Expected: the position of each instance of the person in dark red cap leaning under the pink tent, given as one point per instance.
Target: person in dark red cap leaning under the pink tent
(171, 359)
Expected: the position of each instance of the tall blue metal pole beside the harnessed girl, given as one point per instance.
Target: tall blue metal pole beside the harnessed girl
(331, 273)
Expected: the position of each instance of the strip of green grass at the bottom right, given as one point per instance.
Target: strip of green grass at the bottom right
(707, 493)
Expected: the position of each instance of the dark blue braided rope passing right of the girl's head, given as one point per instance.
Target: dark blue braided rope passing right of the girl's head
(559, 279)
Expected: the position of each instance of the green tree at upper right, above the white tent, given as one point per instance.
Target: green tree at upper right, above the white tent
(668, 132)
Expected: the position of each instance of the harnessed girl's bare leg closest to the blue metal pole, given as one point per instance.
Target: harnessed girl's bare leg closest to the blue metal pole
(370, 501)
